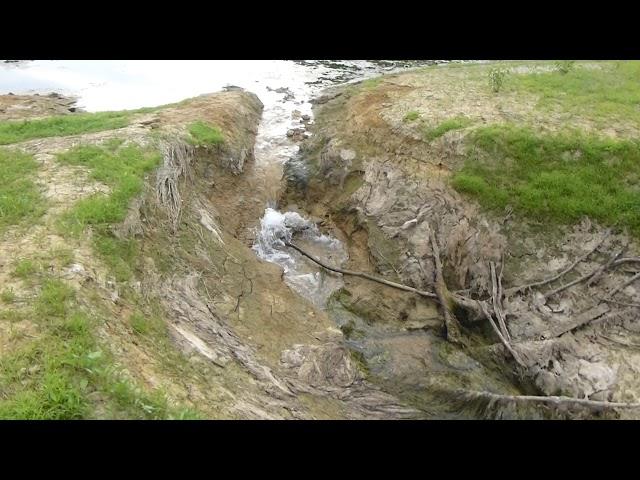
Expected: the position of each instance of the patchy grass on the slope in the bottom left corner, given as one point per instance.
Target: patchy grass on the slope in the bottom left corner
(66, 374)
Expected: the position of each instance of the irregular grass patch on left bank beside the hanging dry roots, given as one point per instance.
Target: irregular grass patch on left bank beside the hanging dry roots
(122, 168)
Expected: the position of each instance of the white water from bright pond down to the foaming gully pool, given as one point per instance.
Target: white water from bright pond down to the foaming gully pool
(282, 86)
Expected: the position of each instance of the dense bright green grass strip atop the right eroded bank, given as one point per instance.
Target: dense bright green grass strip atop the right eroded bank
(554, 178)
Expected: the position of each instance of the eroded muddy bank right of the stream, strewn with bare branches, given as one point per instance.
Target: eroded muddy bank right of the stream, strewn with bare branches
(373, 179)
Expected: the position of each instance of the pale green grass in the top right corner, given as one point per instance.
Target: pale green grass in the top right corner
(609, 93)
